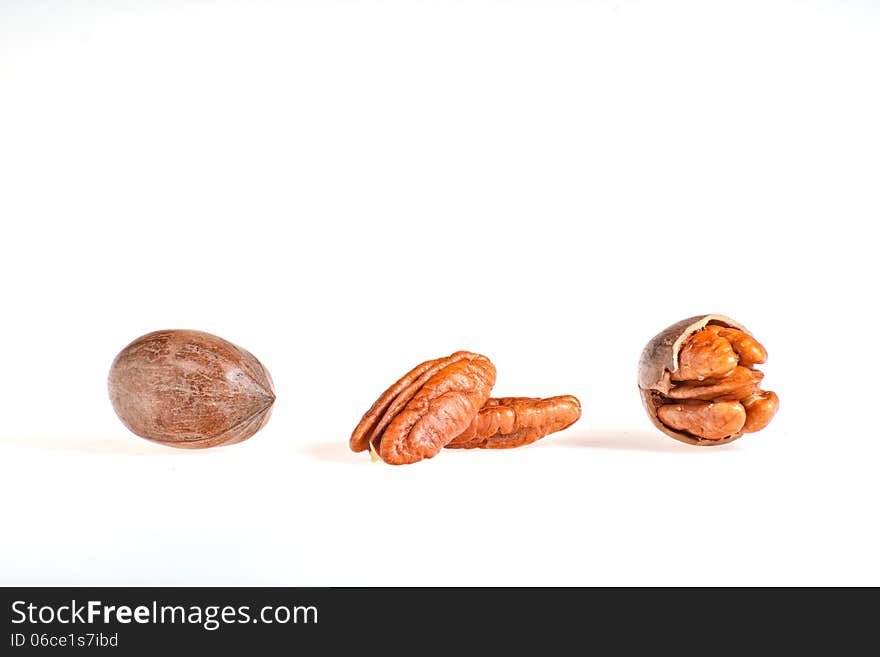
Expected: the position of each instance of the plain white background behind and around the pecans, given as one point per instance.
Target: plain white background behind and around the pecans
(348, 189)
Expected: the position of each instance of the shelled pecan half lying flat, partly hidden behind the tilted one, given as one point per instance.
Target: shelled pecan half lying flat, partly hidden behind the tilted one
(514, 421)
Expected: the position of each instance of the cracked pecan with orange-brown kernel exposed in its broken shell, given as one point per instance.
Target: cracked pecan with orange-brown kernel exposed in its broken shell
(699, 384)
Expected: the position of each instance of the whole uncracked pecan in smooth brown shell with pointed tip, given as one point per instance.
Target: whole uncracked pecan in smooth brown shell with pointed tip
(190, 389)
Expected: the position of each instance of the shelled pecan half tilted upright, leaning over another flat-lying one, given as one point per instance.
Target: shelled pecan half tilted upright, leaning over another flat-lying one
(426, 409)
